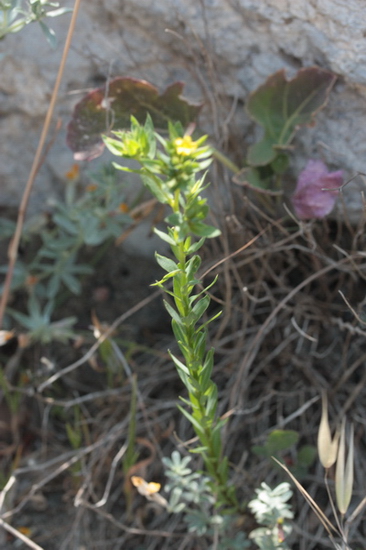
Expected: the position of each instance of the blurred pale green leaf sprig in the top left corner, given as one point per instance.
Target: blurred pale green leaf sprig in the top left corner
(16, 14)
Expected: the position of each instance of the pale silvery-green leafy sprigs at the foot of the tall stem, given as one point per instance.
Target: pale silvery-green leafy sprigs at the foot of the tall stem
(190, 493)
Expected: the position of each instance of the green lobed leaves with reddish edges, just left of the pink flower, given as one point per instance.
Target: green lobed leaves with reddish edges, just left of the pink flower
(281, 107)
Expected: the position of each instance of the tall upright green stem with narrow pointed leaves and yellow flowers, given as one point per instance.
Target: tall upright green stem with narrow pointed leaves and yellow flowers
(171, 169)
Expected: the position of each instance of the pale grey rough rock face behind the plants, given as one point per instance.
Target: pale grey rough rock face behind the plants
(222, 49)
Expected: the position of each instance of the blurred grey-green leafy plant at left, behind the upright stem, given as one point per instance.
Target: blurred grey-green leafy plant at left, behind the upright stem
(88, 217)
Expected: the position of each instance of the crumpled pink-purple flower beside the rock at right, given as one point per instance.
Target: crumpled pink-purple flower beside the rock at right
(316, 192)
